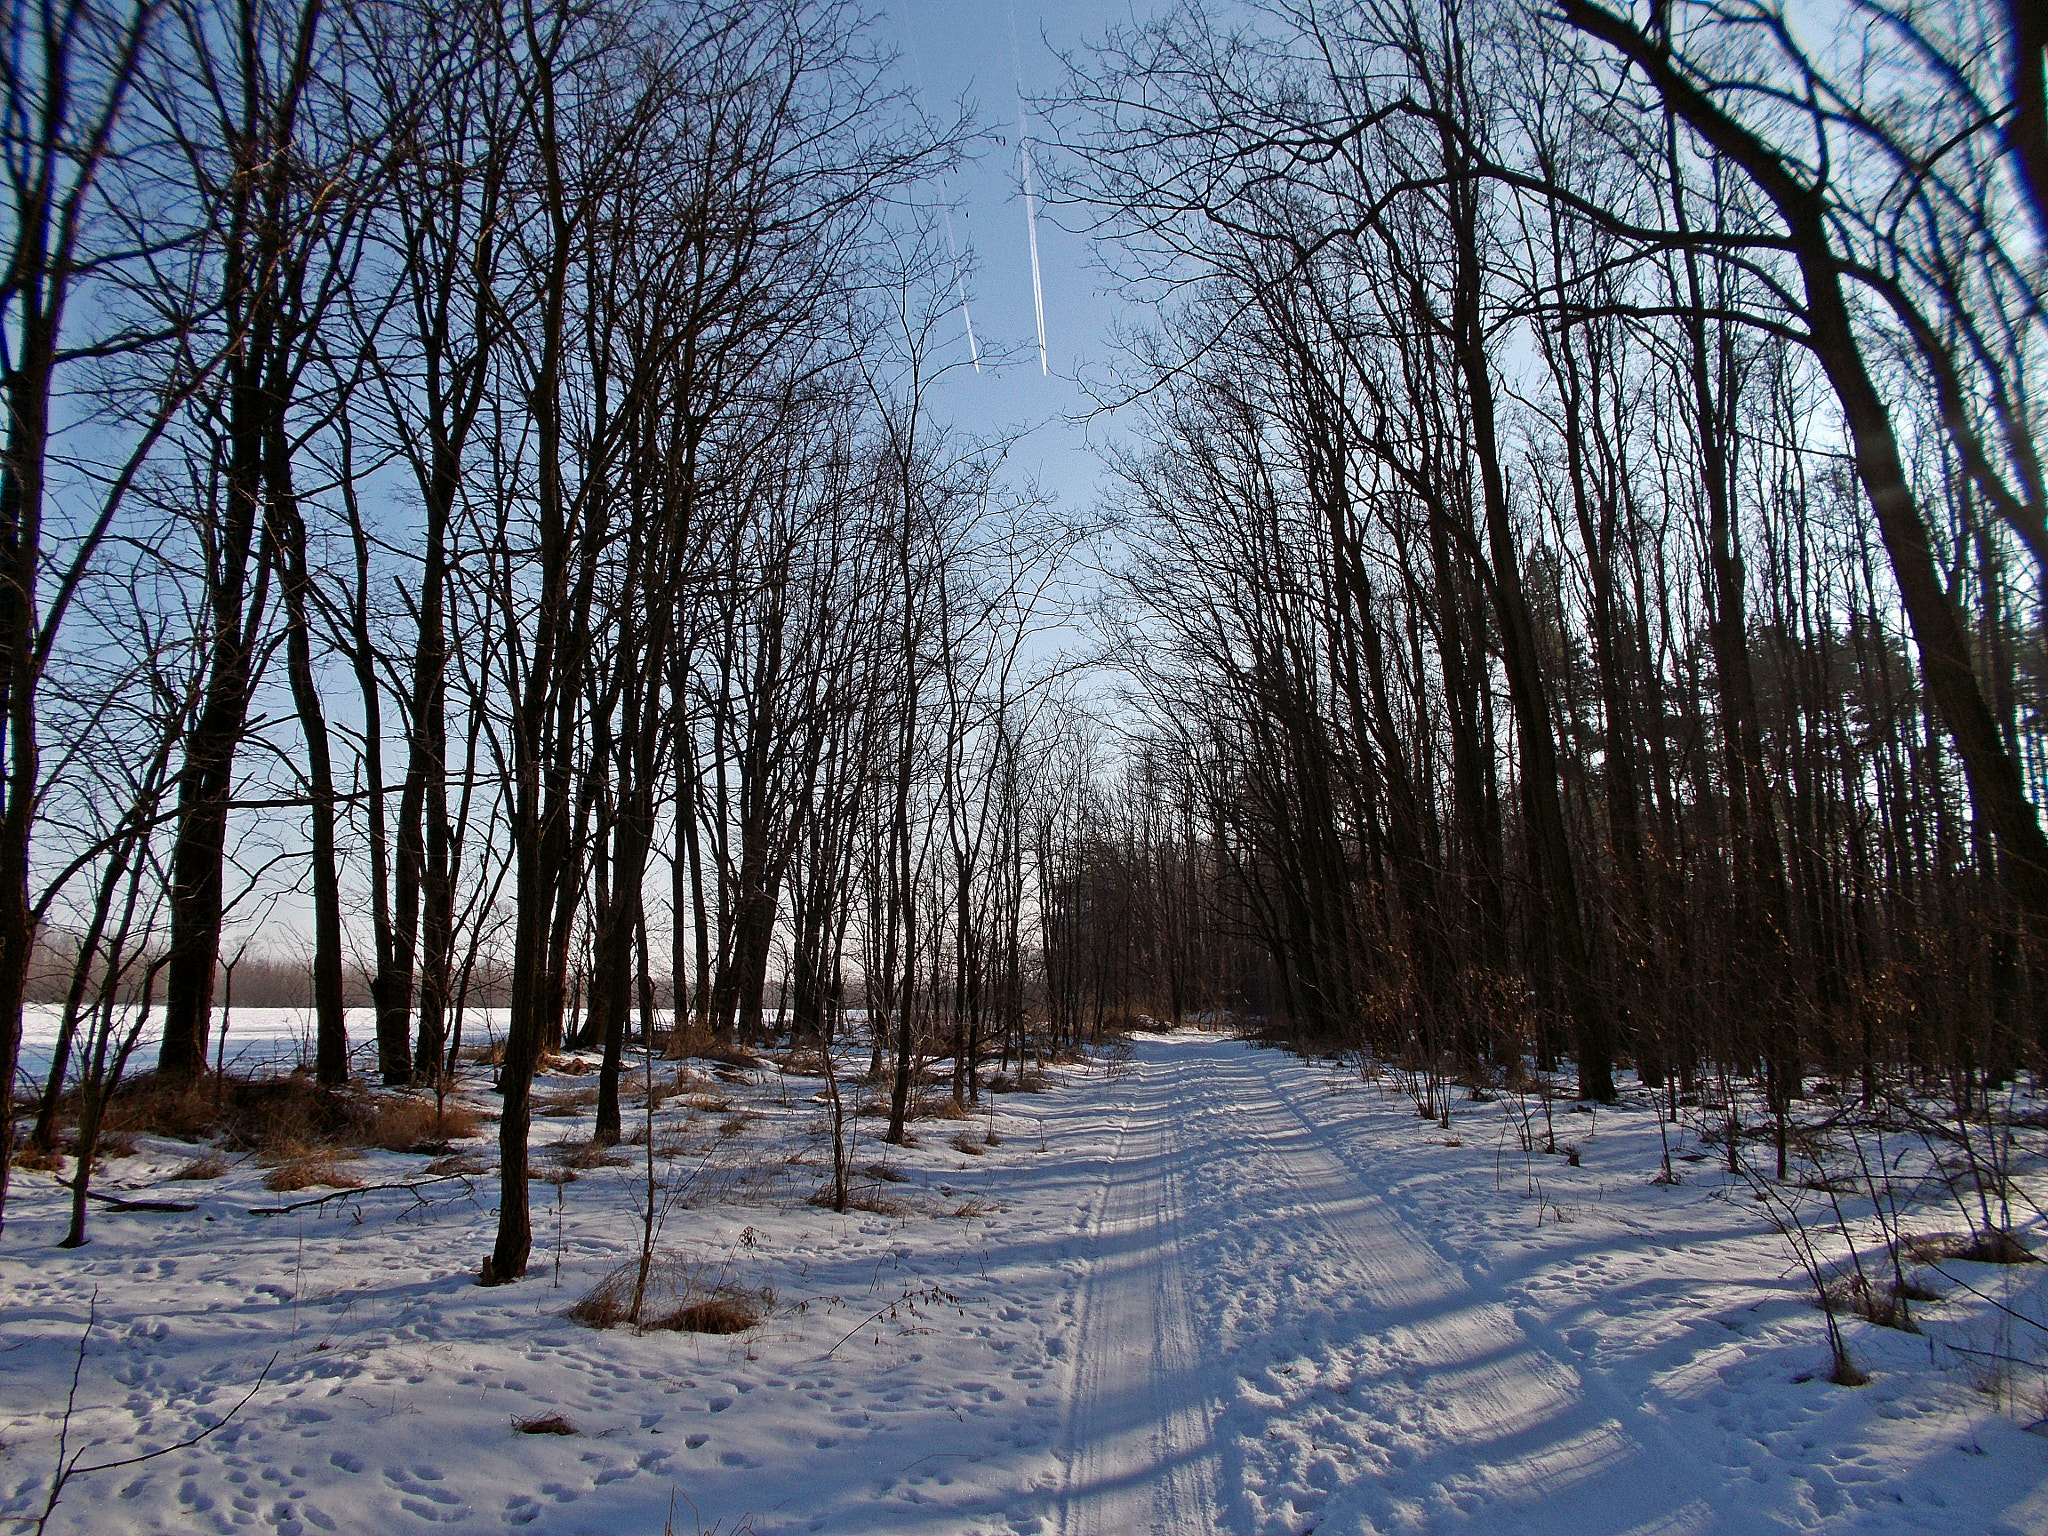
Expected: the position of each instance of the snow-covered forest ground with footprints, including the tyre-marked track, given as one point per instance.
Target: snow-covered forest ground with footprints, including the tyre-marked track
(1215, 1291)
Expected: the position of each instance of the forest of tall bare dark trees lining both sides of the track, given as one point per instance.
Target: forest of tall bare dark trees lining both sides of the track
(497, 544)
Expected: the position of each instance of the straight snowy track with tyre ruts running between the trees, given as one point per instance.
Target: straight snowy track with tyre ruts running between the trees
(1234, 1242)
